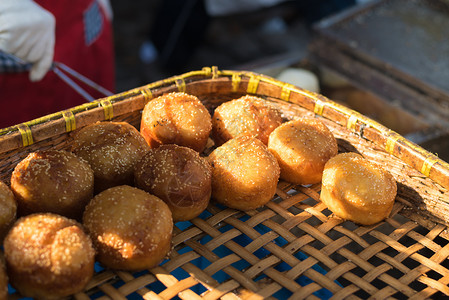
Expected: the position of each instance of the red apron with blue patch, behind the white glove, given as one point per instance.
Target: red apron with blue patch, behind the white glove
(84, 42)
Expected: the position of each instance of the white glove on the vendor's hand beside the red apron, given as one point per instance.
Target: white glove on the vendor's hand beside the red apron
(28, 31)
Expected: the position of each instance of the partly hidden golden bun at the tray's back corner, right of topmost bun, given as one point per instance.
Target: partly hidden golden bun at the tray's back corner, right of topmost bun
(248, 115)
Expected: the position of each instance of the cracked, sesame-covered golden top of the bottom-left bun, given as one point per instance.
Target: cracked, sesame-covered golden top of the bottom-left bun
(48, 240)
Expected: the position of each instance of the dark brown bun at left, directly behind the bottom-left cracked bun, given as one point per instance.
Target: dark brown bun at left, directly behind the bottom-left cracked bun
(54, 181)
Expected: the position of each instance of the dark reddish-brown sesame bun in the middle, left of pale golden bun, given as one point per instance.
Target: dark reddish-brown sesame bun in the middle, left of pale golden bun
(177, 175)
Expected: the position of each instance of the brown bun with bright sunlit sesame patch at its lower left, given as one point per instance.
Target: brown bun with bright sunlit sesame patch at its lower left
(131, 229)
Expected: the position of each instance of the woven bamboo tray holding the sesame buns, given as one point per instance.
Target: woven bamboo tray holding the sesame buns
(293, 247)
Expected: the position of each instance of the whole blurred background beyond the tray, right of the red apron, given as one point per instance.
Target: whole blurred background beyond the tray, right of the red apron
(385, 59)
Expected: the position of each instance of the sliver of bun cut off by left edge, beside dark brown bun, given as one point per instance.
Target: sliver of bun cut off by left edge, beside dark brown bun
(8, 210)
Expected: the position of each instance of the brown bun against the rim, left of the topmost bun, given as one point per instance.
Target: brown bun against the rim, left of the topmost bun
(112, 150)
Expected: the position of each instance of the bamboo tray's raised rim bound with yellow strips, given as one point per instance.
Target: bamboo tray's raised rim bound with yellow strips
(429, 164)
